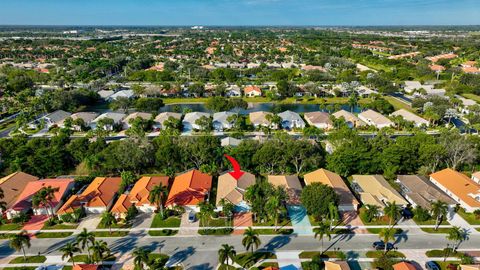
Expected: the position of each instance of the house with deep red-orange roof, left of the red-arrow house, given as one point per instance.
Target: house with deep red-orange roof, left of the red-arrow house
(189, 189)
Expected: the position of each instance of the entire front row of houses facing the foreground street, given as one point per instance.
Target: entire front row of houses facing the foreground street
(193, 187)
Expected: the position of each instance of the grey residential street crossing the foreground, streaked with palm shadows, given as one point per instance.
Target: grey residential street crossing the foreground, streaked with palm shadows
(200, 252)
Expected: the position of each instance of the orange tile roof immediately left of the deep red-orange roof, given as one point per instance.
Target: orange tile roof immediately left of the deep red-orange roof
(139, 193)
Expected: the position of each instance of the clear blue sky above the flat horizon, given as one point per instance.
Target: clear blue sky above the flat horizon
(239, 12)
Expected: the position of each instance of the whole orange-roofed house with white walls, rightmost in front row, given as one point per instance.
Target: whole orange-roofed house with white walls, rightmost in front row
(457, 185)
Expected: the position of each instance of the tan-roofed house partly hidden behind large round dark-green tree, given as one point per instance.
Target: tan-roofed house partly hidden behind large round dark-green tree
(347, 202)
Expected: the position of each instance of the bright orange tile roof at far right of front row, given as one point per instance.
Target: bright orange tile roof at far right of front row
(460, 185)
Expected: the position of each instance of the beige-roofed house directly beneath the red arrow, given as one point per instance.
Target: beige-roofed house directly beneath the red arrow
(231, 189)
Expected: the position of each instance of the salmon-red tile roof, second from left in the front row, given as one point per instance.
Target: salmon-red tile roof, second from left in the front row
(24, 199)
